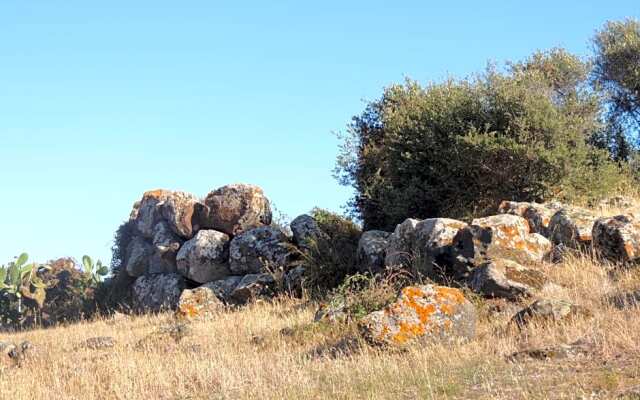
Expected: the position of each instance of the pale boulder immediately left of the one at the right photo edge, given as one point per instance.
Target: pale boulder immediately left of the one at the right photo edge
(572, 227)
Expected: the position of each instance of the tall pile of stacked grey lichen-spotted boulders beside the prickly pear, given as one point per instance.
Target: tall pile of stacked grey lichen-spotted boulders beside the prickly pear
(224, 242)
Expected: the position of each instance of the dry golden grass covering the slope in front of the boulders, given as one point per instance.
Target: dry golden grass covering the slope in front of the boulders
(273, 351)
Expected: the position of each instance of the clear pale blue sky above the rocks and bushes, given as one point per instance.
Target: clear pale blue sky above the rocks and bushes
(102, 100)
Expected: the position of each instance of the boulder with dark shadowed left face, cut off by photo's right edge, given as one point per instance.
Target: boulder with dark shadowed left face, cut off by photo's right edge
(617, 238)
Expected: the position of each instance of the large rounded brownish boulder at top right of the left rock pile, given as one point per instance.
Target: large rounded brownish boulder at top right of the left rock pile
(233, 209)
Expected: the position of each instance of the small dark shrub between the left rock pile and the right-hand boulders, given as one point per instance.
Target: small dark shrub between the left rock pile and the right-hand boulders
(332, 258)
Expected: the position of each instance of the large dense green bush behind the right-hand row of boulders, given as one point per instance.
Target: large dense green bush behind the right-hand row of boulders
(458, 148)
